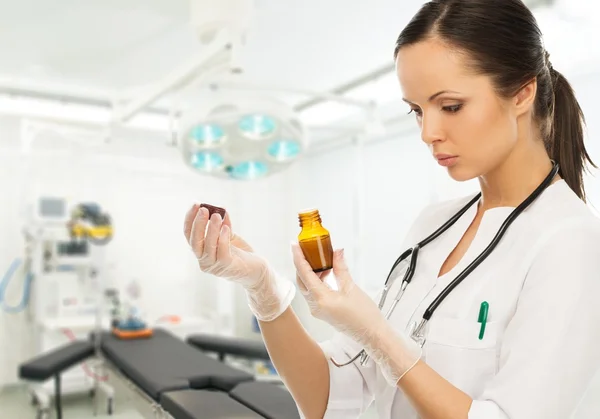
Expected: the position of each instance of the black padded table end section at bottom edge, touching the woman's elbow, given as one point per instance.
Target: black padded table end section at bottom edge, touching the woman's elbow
(268, 399)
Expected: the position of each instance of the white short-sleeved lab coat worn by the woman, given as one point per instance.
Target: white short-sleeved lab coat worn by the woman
(541, 346)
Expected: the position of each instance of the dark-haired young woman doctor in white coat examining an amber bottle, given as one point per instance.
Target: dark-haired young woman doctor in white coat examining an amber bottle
(490, 106)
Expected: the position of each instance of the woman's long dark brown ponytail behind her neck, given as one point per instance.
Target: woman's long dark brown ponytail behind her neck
(566, 140)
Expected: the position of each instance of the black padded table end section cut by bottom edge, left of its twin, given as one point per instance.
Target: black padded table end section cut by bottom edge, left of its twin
(204, 404)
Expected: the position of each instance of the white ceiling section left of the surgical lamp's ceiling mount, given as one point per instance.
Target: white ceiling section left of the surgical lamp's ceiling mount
(101, 44)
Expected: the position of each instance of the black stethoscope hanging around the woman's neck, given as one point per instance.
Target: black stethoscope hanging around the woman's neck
(418, 332)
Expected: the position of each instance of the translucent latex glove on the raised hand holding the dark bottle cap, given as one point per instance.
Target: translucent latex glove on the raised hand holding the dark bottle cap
(223, 254)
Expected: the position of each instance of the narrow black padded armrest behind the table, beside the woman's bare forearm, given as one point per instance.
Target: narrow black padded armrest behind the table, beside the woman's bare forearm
(229, 345)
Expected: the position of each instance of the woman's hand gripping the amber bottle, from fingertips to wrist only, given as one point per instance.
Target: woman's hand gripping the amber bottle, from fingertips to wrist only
(348, 309)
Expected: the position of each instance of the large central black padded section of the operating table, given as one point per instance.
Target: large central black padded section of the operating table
(164, 362)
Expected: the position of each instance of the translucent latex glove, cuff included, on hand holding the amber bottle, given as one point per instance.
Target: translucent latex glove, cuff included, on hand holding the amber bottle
(352, 312)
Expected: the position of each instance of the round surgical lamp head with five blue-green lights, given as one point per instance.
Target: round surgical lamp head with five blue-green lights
(241, 136)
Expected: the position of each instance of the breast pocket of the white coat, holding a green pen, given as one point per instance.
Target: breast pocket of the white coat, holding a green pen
(454, 350)
